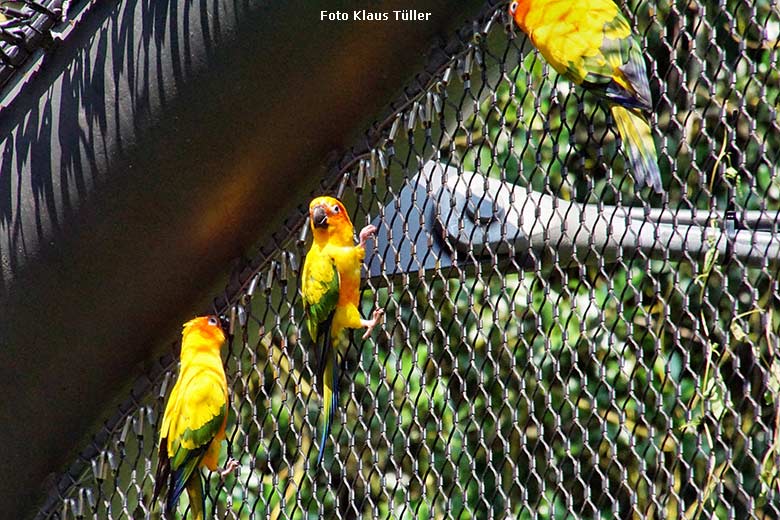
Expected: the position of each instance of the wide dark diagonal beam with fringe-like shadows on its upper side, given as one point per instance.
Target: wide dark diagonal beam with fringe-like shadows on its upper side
(157, 142)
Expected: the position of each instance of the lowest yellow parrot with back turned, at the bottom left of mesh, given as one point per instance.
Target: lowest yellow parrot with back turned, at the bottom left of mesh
(193, 426)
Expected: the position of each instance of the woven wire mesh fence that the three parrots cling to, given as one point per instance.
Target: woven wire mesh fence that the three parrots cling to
(557, 344)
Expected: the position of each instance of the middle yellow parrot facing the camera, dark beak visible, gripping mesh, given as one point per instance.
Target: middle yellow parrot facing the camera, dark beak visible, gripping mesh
(330, 289)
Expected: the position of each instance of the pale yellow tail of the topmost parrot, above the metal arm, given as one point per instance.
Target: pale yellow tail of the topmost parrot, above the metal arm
(639, 146)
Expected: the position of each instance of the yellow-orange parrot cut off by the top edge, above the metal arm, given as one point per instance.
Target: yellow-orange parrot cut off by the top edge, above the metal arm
(590, 43)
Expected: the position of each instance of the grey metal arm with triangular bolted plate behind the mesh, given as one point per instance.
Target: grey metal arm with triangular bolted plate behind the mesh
(443, 216)
